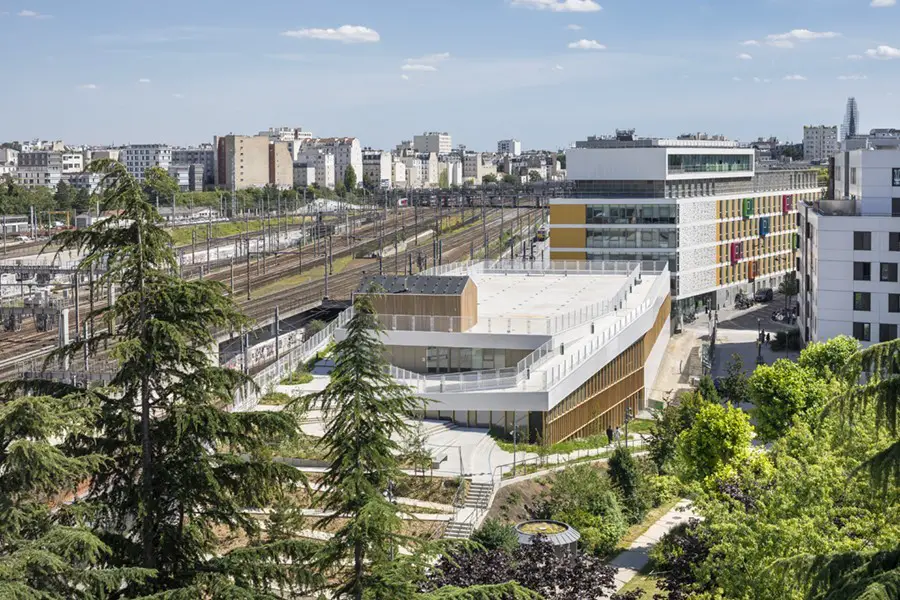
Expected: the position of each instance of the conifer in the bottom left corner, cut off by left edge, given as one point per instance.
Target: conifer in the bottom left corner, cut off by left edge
(42, 556)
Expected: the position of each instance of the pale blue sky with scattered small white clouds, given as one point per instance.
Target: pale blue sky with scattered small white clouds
(547, 72)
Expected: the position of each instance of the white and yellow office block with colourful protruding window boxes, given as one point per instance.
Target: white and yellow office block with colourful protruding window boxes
(722, 225)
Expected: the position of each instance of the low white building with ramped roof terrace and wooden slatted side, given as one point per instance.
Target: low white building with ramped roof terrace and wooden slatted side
(555, 350)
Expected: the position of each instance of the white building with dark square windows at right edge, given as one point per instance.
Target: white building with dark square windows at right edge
(850, 251)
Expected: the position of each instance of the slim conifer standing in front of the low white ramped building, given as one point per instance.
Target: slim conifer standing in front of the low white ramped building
(365, 412)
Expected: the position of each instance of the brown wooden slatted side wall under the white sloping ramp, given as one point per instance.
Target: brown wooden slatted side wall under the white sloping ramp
(601, 400)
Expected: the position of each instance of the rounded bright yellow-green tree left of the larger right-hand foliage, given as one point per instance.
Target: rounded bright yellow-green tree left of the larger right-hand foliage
(783, 391)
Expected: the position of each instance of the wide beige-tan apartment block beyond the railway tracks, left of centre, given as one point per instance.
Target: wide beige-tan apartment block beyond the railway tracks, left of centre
(242, 161)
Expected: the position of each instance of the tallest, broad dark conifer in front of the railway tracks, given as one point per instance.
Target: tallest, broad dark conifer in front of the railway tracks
(178, 465)
